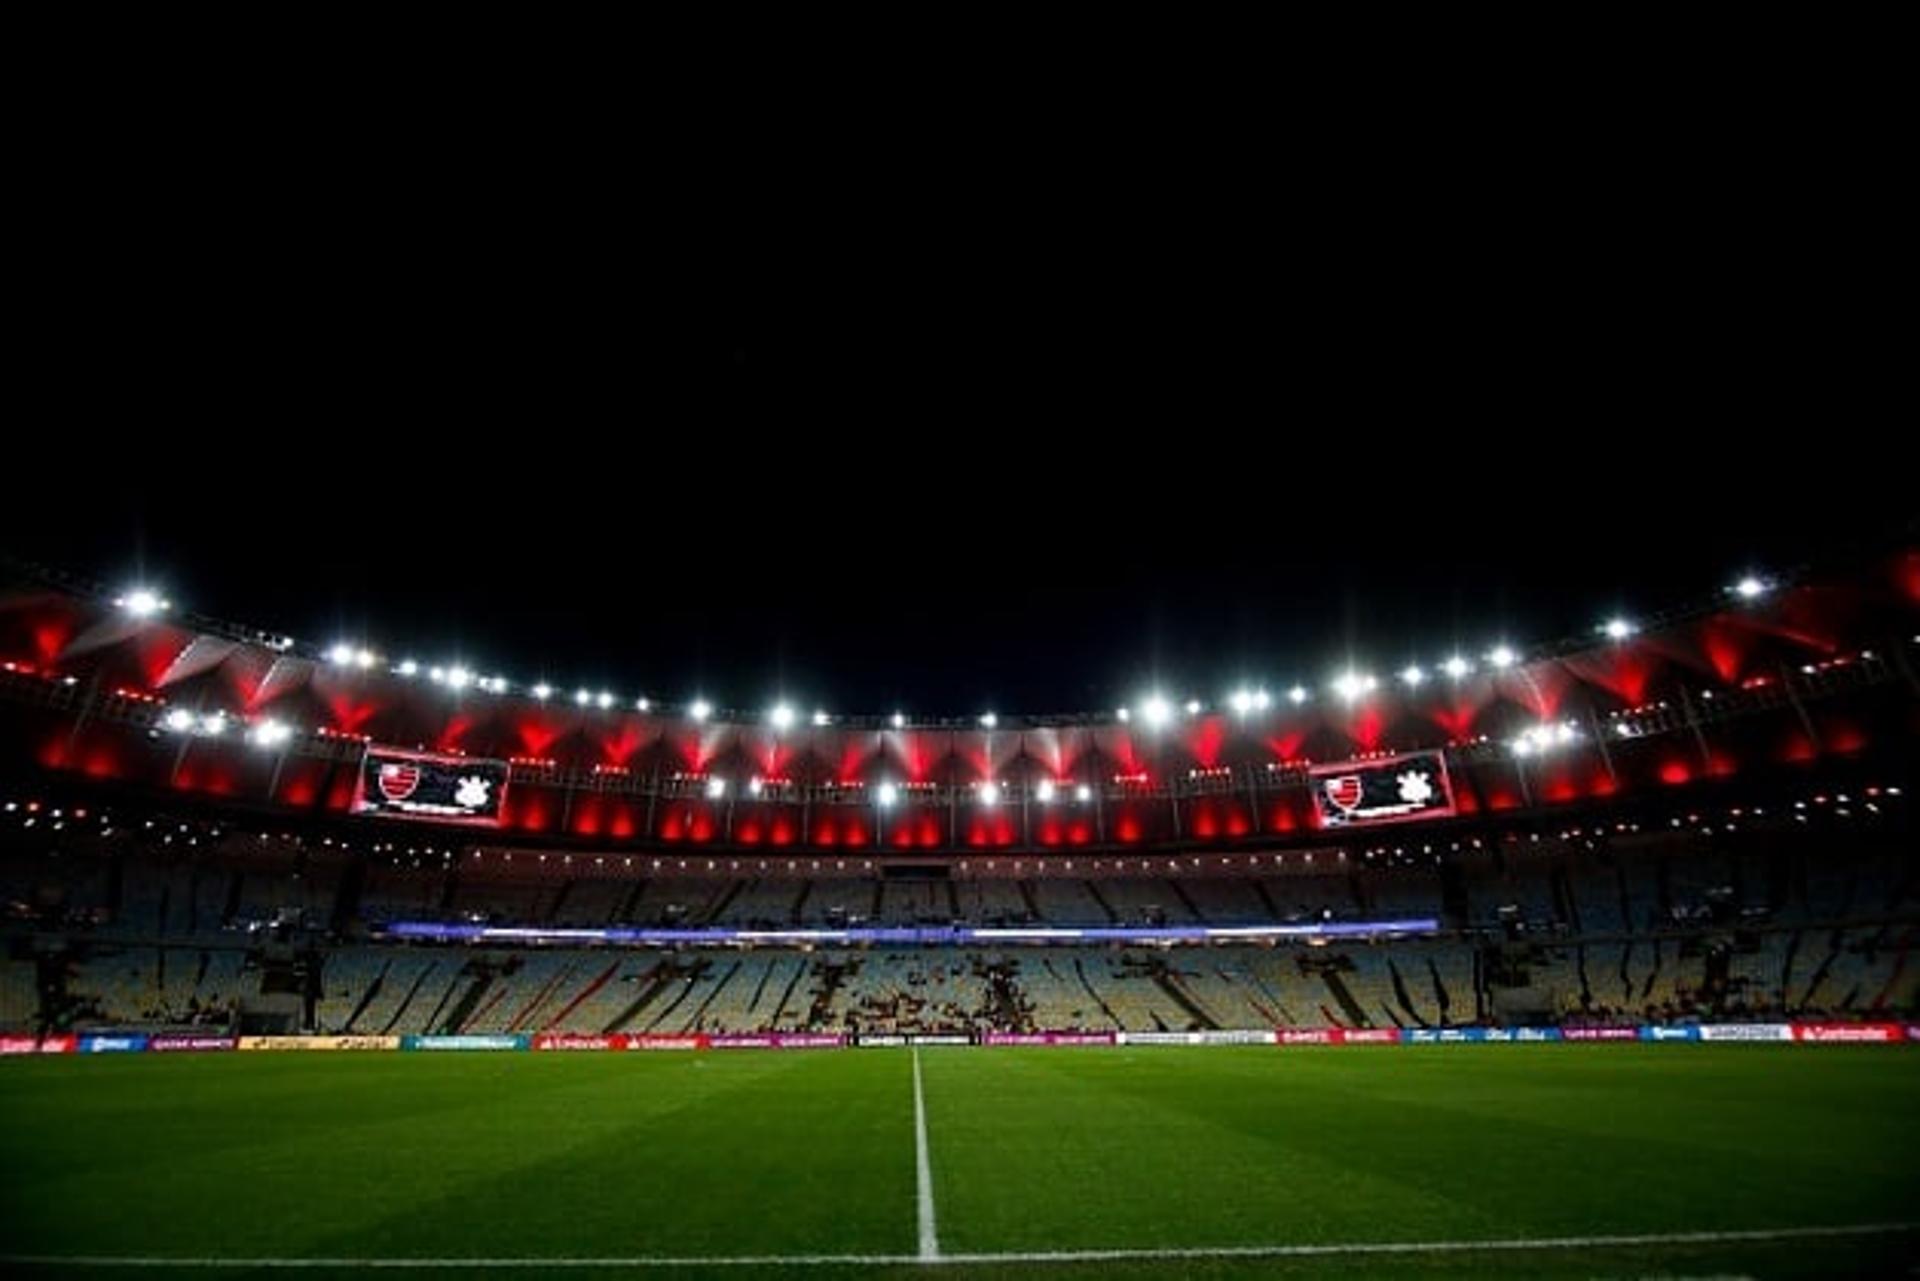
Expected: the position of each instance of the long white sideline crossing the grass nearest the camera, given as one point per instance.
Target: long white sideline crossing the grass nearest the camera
(1011, 1257)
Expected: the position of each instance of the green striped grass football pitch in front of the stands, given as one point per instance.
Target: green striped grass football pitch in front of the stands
(1581, 1161)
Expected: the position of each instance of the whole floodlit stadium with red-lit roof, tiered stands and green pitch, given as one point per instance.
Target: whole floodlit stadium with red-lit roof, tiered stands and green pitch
(1589, 957)
